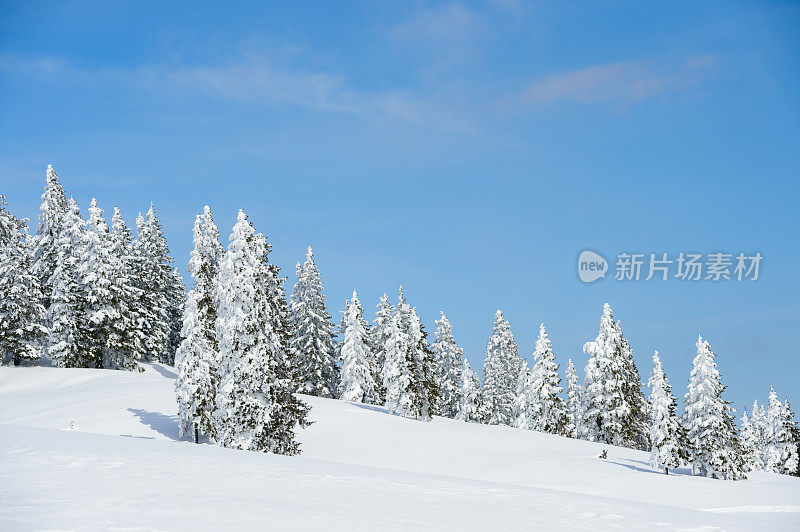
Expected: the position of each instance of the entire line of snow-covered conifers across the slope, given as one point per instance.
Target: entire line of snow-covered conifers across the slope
(84, 295)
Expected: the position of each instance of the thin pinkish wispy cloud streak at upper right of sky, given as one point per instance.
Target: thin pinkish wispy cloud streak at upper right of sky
(624, 81)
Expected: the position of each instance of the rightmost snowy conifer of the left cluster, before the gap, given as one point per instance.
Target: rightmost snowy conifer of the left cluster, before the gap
(158, 285)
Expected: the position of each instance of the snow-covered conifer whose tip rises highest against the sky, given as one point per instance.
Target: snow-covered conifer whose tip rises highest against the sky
(52, 210)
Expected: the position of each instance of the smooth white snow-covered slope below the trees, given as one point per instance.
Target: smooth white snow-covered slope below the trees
(99, 449)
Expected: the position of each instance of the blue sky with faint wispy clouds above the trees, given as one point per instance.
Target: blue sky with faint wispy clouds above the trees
(468, 150)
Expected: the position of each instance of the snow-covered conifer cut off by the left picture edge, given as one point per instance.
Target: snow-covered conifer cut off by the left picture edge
(21, 310)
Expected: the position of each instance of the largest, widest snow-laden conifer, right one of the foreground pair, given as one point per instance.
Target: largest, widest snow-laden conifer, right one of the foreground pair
(256, 408)
